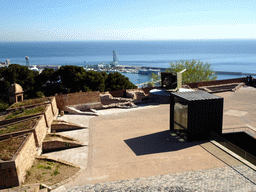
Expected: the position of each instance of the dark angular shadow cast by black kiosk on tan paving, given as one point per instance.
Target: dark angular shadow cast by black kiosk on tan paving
(158, 143)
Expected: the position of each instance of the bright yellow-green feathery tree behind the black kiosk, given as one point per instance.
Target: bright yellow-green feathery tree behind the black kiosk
(196, 71)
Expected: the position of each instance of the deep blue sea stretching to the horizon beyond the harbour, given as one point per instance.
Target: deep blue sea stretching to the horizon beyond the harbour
(232, 55)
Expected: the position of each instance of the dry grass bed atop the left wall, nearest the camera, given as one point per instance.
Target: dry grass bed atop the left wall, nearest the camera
(8, 147)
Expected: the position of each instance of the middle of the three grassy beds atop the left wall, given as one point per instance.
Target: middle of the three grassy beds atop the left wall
(29, 124)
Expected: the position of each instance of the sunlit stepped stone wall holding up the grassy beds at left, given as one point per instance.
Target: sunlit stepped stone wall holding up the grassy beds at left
(12, 173)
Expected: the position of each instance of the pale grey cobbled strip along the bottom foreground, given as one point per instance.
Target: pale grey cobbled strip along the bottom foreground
(236, 178)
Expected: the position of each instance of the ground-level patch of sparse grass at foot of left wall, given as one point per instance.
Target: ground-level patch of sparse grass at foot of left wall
(40, 173)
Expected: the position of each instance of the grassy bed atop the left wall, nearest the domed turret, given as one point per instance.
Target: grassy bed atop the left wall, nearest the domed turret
(23, 112)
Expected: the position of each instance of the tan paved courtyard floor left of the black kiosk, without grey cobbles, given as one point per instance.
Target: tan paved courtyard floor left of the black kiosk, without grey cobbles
(138, 144)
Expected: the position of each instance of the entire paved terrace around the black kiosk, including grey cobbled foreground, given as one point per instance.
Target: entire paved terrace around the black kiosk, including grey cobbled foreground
(132, 150)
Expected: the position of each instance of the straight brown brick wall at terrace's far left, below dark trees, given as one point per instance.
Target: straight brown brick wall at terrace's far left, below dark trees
(77, 99)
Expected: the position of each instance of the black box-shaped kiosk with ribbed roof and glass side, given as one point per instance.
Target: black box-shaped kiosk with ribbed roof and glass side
(194, 114)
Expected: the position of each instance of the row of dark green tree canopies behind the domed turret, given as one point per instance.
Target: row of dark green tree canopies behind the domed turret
(67, 79)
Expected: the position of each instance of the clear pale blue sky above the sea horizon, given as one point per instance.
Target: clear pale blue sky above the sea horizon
(69, 20)
